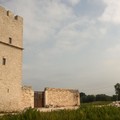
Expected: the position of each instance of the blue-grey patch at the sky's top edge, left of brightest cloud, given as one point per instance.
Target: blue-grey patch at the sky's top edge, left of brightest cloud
(92, 9)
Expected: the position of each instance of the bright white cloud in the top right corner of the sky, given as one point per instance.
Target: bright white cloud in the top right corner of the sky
(112, 11)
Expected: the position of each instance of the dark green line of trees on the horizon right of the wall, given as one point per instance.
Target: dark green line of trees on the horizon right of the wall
(101, 97)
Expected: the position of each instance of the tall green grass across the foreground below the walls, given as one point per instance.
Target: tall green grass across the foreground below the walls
(85, 112)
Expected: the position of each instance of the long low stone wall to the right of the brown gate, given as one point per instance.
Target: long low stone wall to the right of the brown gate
(61, 97)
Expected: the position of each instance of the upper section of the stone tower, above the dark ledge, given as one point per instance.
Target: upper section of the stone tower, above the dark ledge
(11, 28)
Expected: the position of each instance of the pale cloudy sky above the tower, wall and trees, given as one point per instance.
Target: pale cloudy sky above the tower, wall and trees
(71, 44)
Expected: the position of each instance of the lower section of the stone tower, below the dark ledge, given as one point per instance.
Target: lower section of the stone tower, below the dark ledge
(10, 79)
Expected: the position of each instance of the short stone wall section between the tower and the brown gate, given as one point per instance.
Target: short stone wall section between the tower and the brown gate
(27, 97)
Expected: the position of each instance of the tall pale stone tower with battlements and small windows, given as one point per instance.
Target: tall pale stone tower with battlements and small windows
(11, 33)
